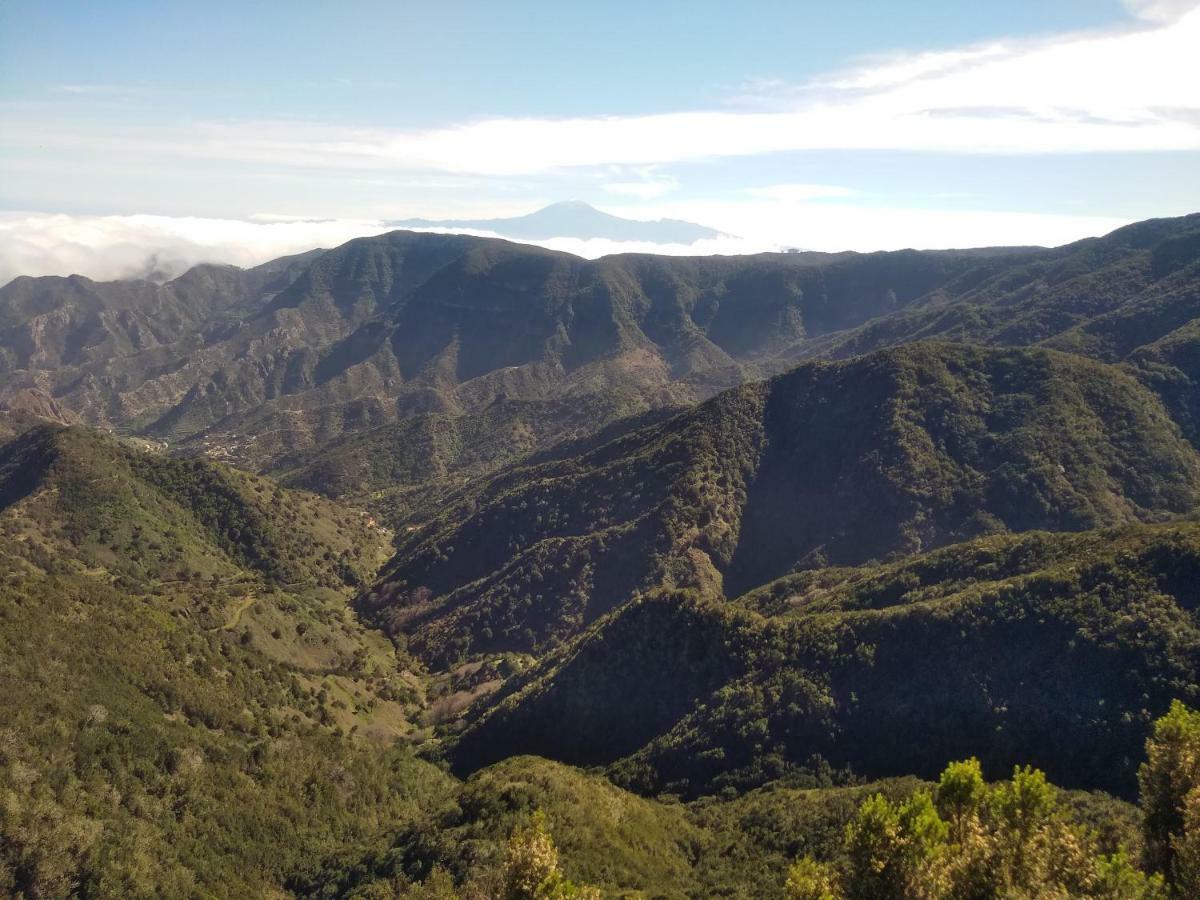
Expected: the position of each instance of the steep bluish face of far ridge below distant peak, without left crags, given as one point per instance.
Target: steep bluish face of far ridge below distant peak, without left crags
(561, 344)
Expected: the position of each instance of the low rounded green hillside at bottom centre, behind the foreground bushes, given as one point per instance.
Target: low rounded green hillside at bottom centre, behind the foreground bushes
(631, 847)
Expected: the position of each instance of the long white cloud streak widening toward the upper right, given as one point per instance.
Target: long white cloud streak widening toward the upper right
(1111, 92)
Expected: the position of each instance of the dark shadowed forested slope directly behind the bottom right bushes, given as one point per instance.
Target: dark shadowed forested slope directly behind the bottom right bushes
(1058, 650)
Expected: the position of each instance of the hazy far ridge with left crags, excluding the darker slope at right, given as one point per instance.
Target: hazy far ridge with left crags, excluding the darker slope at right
(404, 326)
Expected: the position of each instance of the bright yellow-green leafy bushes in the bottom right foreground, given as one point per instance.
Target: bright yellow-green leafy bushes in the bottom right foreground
(969, 839)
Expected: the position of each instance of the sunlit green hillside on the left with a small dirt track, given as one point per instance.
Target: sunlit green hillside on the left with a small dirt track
(187, 705)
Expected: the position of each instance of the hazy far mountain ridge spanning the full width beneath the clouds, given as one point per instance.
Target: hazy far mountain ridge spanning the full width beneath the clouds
(340, 369)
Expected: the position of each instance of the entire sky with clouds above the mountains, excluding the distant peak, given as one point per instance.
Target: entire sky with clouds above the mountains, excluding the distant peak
(141, 135)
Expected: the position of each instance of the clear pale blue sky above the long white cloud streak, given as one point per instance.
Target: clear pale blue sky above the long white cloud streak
(427, 64)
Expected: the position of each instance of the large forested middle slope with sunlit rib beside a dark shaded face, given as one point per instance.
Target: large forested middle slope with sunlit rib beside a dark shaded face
(832, 464)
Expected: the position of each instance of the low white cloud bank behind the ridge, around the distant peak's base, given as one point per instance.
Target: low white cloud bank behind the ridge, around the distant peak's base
(106, 248)
